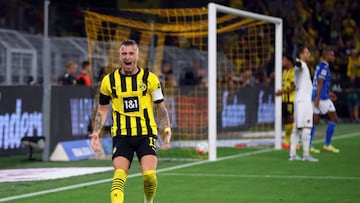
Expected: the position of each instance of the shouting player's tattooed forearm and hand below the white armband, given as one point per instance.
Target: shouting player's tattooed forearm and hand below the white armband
(163, 117)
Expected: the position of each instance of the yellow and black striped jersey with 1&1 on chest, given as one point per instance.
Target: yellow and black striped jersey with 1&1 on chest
(132, 100)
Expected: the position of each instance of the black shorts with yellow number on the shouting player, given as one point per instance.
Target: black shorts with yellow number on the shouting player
(126, 146)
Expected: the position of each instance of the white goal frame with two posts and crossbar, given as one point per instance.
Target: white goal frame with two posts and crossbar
(213, 9)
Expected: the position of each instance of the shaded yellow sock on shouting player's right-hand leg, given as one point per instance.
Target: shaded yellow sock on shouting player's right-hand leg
(150, 184)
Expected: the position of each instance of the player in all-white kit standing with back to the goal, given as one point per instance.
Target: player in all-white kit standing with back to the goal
(303, 111)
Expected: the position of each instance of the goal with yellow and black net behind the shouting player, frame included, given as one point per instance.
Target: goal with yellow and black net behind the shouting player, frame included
(217, 68)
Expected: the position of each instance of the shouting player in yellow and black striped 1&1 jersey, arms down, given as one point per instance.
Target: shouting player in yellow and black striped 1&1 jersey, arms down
(132, 92)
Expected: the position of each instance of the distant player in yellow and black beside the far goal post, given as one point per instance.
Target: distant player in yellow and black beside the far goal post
(287, 92)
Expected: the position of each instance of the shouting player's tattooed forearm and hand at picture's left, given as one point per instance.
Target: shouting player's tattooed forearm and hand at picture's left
(99, 122)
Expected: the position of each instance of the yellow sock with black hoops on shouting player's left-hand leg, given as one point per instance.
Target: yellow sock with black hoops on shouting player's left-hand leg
(117, 188)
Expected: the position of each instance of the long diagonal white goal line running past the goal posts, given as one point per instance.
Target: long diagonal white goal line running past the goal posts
(159, 171)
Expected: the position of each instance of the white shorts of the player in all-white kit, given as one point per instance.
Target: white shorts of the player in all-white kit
(303, 114)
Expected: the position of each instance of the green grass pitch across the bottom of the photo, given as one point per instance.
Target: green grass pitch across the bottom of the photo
(249, 175)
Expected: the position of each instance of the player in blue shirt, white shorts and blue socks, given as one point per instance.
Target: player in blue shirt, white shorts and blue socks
(322, 103)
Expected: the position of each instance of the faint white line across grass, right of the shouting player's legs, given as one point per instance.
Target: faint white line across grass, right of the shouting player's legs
(263, 176)
